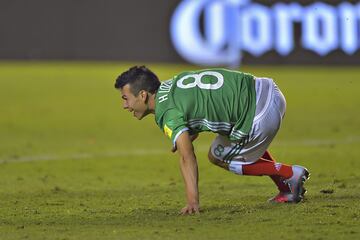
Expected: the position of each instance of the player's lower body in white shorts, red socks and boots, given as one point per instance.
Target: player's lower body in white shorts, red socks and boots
(252, 159)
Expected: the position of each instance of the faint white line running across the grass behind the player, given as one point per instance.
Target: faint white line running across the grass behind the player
(153, 152)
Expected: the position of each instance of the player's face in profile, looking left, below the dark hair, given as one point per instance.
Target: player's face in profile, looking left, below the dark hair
(135, 104)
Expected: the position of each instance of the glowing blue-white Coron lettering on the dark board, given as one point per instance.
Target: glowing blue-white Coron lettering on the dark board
(234, 26)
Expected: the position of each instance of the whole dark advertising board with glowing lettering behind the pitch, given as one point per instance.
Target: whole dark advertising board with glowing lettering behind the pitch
(203, 32)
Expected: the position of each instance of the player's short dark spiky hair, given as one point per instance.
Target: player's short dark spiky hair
(139, 78)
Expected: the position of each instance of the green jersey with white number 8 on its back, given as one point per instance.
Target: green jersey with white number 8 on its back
(216, 100)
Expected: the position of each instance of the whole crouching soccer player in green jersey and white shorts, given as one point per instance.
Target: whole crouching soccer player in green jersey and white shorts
(243, 110)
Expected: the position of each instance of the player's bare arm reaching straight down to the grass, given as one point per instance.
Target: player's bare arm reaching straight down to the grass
(189, 170)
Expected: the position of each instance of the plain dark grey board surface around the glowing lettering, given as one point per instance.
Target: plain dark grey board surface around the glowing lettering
(126, 30)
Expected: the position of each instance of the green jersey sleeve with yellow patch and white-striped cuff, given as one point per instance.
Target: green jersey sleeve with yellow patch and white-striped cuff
(174, 124)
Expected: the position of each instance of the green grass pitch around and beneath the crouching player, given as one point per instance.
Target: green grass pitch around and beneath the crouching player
(74, 165)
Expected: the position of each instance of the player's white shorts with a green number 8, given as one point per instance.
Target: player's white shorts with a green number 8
(270, 110)
